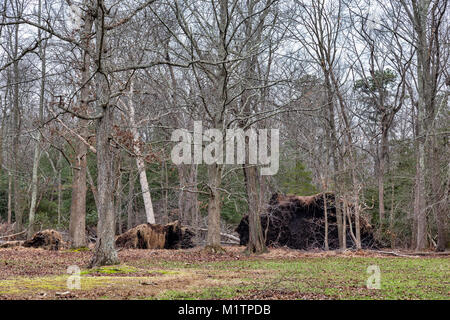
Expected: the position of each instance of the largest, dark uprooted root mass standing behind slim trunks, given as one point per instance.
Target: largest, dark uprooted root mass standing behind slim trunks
(298, 222)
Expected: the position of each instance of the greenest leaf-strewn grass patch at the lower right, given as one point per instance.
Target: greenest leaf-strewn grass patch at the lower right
(346, 278)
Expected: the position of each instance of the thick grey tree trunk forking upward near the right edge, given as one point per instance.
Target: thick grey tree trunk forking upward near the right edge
(426, 17)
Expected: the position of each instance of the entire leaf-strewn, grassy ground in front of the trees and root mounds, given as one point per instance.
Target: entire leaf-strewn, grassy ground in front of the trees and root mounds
(27, 273)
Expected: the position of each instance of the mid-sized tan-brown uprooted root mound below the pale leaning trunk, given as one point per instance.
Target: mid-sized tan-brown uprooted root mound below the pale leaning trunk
(155, 236)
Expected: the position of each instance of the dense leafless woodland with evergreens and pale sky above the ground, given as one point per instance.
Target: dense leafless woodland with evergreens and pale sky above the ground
(90, 92)
